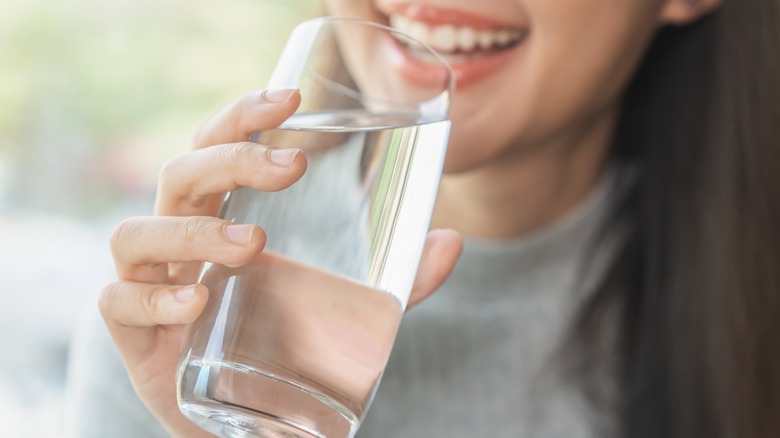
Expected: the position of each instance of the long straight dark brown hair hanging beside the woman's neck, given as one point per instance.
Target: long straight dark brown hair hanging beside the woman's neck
(697, 284)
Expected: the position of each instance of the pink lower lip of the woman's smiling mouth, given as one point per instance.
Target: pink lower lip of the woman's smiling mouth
(466, 73)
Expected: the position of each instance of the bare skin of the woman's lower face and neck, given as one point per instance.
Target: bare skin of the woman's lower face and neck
(534, 150)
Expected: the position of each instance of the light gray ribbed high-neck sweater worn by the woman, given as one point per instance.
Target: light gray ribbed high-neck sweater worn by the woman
(476, 359)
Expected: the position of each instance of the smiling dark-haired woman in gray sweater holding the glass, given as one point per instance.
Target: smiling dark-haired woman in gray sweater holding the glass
(612, 173)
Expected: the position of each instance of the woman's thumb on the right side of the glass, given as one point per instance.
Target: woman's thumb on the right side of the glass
(442, 249)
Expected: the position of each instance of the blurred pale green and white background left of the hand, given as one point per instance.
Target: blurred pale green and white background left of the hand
(94, 97)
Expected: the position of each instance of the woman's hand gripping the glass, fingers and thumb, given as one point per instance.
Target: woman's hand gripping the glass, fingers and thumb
(158, 258)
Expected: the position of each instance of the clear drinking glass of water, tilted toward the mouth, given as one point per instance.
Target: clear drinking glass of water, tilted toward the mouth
(294, 344)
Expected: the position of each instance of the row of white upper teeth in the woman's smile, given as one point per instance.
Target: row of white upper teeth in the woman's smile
(448, 38)
